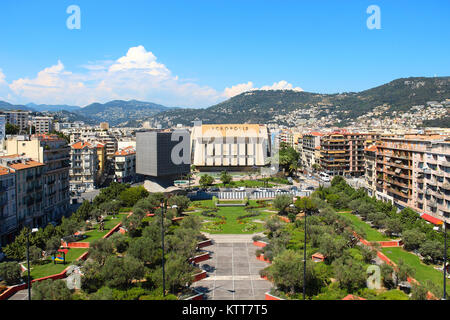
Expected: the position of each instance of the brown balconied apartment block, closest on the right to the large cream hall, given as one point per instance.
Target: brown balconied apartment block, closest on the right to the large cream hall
(342, 152)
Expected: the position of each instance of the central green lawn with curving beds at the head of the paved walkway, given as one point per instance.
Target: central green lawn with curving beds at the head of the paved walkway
(231, 225)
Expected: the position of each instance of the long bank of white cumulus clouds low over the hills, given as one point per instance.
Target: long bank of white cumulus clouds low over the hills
(136, 75)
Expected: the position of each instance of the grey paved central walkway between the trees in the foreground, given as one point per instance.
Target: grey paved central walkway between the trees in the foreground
(233, 270)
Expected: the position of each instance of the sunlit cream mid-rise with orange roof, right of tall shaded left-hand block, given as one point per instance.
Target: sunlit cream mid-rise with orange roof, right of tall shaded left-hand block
(83, 166)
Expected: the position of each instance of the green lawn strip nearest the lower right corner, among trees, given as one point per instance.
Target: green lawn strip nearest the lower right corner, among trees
(423, 271)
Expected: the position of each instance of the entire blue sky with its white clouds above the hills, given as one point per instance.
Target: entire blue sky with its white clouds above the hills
(197, 53)
